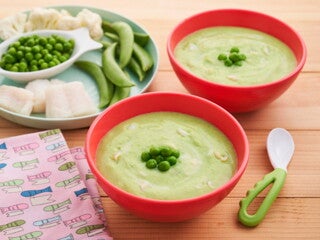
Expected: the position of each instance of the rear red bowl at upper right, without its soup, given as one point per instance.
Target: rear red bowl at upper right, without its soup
(237, 98)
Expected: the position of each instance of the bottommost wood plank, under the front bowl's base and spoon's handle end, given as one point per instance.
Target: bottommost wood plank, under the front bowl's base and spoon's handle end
(291, 218)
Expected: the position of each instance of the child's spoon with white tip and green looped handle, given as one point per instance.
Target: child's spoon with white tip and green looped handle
(280, 147)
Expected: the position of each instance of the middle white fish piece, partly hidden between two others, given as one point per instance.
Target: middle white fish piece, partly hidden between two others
(39, 87)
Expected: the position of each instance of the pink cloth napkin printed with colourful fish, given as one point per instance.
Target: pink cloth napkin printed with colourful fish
(47, 190)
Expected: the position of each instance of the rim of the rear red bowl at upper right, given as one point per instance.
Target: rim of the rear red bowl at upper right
(296, 70)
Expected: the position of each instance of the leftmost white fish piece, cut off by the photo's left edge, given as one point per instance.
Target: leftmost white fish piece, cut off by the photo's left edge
(15, 99)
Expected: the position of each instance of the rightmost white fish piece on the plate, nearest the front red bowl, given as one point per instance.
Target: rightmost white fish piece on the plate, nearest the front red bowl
(68, 100)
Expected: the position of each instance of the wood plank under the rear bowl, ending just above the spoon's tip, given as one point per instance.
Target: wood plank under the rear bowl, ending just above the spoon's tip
(297, 108)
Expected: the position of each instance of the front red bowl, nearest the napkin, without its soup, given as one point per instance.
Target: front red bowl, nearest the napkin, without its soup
(167, 210)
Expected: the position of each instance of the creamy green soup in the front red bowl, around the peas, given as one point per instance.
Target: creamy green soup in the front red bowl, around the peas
(207, 158)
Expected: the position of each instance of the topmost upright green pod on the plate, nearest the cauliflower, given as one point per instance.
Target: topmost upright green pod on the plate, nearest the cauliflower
(126, 41)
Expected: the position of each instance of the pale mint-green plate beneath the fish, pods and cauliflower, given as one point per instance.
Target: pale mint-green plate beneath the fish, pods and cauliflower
(74, 74)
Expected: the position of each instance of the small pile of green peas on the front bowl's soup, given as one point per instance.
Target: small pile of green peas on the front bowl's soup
(161, 158)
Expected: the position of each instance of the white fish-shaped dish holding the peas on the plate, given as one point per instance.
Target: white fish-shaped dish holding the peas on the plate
(83, 43)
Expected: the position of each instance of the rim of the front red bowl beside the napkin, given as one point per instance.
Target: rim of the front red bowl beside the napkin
(232, 181)
